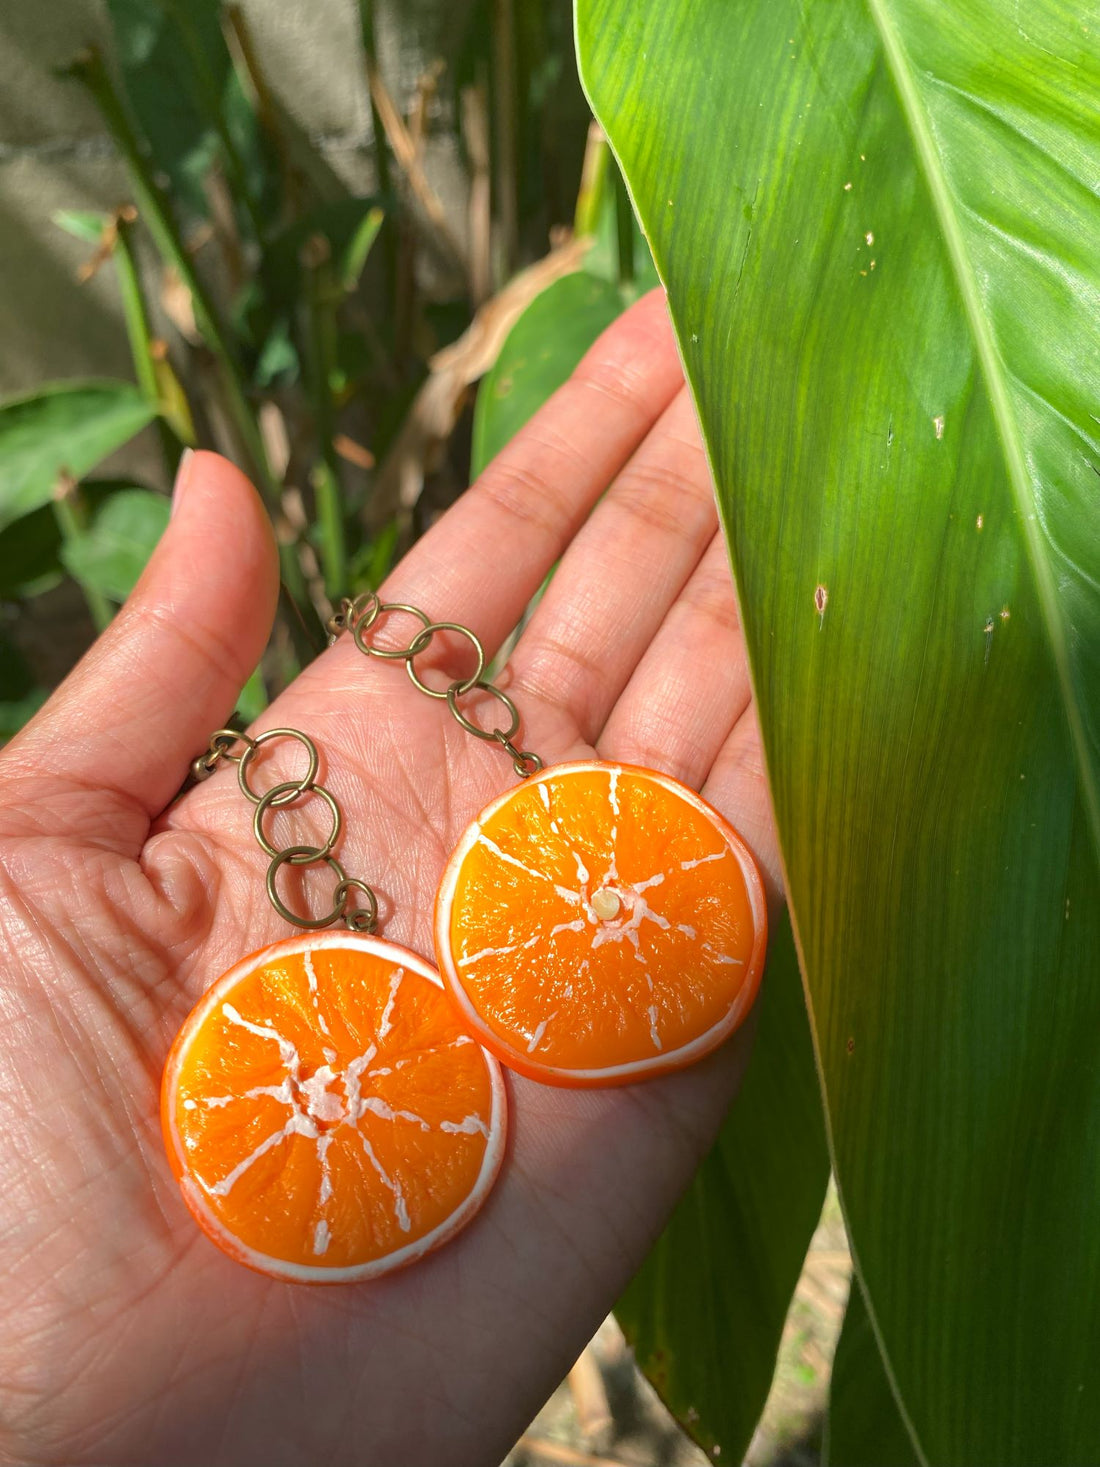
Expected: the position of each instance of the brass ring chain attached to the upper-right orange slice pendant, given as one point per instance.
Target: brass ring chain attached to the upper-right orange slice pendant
(360, 615)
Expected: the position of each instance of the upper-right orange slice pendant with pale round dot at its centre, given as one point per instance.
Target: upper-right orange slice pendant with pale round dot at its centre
(601, 925)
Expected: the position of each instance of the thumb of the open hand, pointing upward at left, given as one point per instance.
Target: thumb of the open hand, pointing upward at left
(143, 702)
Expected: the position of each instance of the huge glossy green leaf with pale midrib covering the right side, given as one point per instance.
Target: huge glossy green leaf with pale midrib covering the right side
(879, 222)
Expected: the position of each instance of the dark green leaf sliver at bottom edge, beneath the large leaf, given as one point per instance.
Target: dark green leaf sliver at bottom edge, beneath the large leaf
(863, 1428)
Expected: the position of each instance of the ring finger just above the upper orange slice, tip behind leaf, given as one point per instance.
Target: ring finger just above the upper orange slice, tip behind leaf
(692, 686)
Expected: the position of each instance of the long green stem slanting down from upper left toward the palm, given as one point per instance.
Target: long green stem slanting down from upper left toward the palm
(90, 70)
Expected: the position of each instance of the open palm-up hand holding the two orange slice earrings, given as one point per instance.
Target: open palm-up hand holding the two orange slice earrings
(127, 1337)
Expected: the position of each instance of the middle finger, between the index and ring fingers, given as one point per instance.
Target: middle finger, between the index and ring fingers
(621, 576)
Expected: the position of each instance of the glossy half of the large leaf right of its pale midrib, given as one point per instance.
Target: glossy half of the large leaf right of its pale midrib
(1002, 263)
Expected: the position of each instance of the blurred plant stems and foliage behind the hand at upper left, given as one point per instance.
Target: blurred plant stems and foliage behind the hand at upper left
(312, 228)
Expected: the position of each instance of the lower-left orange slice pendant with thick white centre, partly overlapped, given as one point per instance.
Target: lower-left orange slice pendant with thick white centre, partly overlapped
(326, 1114)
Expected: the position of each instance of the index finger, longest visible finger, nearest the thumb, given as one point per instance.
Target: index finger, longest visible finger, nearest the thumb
(488, 557)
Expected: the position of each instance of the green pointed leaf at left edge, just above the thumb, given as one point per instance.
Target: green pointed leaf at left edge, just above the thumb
(65, 428)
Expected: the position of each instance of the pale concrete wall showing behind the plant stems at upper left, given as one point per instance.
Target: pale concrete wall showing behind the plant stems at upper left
(54, 155)
